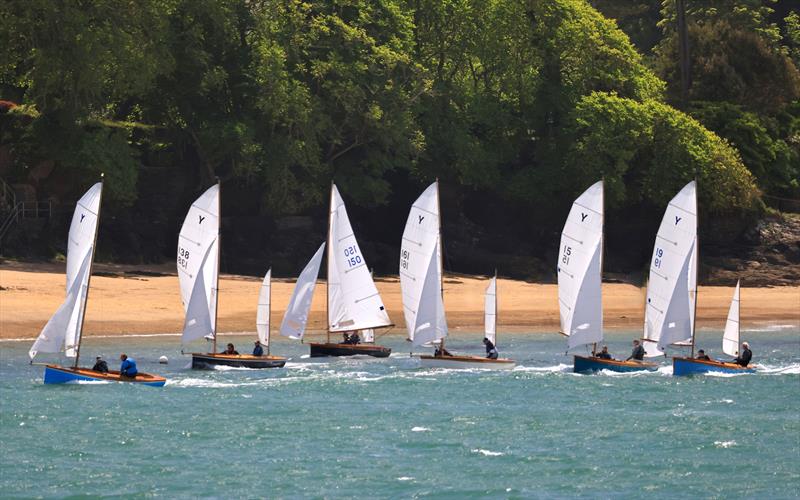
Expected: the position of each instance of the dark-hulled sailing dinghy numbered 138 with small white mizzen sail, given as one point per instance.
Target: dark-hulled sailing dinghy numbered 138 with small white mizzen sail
(198, 273)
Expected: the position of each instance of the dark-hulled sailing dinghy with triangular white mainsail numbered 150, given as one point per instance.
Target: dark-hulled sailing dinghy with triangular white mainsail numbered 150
(354, 304)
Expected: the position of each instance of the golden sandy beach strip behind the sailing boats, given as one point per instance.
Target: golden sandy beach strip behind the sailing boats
(145, 300)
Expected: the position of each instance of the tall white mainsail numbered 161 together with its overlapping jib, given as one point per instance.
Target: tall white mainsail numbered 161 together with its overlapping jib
(421, 272)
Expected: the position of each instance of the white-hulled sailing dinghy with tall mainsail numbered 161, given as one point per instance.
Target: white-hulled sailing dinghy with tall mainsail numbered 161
(422, 287)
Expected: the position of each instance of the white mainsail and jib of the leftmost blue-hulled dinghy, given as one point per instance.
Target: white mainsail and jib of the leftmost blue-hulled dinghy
(63, 331)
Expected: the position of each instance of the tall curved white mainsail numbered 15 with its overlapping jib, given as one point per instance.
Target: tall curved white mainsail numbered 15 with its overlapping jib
(580, 269)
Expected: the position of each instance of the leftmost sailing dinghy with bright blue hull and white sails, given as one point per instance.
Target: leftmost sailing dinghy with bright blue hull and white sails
(64, 329)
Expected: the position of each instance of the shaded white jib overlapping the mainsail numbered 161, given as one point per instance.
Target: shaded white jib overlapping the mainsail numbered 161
(430, 324)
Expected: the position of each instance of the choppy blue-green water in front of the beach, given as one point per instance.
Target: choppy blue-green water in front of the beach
(386, 428)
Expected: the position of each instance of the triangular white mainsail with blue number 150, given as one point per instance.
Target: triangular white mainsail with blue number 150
(353, 300)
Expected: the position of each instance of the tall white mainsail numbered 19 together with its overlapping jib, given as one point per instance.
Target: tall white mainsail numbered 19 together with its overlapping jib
(670, 291)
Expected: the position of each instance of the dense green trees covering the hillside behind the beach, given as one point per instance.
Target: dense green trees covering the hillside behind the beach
(516, 105)
